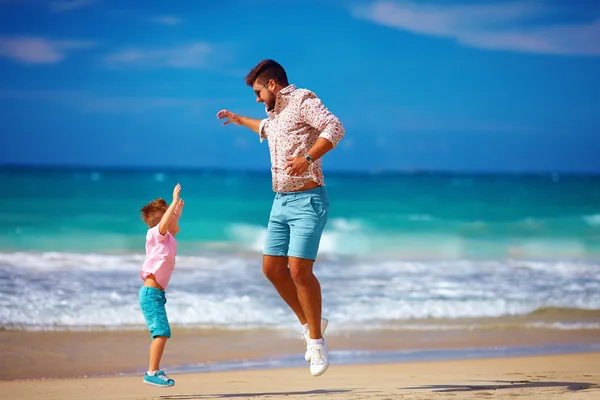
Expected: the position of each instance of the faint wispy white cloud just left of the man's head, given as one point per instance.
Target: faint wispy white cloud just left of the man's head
(194, 55)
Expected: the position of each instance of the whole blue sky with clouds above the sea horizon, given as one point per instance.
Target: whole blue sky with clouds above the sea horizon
(428, 85)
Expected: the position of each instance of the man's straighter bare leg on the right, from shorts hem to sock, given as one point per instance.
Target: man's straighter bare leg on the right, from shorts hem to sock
(308, 292)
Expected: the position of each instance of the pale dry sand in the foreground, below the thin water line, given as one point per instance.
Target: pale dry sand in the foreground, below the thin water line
(545, 377)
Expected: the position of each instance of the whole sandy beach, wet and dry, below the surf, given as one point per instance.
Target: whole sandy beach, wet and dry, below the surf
(108, 365)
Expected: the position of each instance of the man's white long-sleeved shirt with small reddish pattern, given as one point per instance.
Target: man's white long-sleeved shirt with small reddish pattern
(298, 119)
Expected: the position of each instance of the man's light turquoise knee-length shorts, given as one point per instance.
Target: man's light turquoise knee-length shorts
(296, 223)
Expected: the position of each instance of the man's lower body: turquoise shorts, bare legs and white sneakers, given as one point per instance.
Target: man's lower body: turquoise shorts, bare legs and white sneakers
(294, 231)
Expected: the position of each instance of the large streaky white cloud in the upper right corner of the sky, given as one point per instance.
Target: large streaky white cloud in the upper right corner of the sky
(506, 26)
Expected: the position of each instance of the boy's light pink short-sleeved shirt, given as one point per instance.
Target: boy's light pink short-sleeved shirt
(160, 256)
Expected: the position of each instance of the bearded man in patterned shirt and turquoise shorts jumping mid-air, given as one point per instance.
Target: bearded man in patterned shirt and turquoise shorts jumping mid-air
(299, 130)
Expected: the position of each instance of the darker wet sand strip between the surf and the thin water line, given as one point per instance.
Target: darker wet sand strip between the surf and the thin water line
(34, 355)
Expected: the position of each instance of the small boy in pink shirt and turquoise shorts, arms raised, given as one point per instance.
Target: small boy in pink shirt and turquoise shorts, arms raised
(161, 246)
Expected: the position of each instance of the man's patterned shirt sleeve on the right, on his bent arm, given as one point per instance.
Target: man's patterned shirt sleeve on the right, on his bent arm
(319, 117)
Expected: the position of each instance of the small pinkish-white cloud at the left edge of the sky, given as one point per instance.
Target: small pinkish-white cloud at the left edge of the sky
(39, 50)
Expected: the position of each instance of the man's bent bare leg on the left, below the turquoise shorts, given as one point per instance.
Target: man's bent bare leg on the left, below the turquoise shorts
(276, 270)
